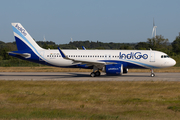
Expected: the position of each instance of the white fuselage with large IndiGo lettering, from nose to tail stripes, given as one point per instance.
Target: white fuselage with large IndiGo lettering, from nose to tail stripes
(133, 58)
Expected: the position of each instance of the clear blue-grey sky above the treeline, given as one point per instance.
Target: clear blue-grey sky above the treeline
(119, 21)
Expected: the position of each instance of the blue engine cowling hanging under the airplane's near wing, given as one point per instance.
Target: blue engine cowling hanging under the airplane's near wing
(114, 69)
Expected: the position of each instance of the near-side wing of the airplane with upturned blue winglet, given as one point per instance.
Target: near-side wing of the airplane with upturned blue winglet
(96, 63)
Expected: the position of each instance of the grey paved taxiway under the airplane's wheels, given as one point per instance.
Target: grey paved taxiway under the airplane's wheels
(84, 76)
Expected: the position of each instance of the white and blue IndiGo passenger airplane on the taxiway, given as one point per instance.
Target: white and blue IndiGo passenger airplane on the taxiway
(112, 62)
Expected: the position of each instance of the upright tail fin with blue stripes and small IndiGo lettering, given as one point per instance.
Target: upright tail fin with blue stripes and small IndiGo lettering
(23, 40)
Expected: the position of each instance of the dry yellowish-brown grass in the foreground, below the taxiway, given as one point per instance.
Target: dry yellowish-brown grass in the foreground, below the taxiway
(89, 100)
